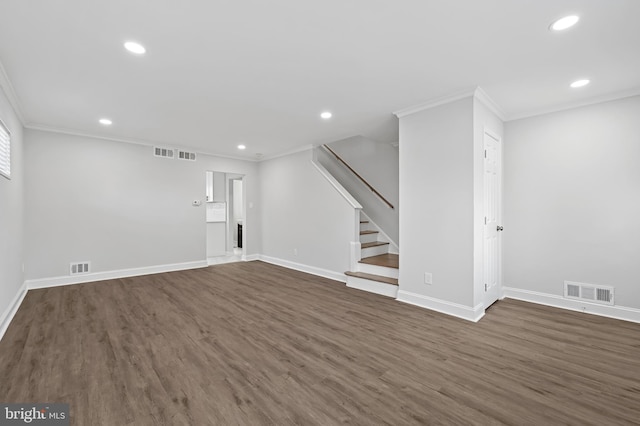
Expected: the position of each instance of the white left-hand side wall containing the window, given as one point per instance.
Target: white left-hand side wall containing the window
(11, 216)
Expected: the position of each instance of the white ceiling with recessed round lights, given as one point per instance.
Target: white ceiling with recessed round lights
(219, 73)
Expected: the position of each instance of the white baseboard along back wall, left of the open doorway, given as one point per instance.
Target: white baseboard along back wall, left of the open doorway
(110, 275)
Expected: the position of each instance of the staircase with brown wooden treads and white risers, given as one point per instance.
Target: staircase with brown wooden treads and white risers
(377, 269)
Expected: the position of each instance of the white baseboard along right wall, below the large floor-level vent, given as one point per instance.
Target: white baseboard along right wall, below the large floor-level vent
(617, 312)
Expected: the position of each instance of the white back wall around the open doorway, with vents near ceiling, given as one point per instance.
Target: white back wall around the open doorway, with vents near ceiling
(116, 205)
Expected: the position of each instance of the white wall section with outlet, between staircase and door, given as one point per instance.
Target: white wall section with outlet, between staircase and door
(437, 199)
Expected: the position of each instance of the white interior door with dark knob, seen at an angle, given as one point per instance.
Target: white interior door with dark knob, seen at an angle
(492, 219)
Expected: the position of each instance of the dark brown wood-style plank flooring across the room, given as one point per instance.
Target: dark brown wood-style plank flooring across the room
(252, 344)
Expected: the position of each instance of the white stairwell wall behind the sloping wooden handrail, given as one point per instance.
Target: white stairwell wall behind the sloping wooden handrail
(378, 164)
